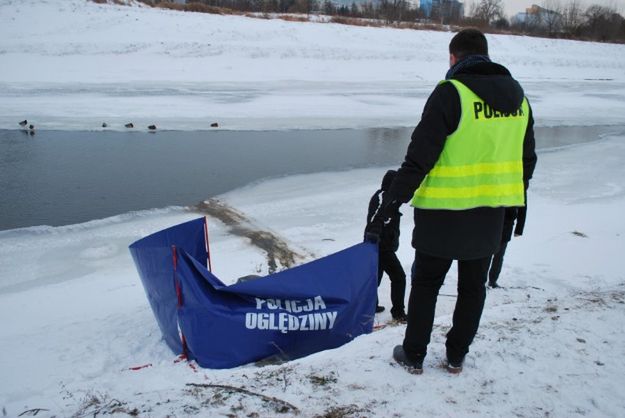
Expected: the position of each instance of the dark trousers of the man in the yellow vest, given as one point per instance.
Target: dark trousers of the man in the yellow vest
(428, 274)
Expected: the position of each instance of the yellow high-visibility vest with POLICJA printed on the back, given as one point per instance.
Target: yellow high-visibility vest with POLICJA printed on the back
(482, 161)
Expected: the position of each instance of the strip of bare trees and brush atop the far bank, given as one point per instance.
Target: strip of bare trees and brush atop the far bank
(550, 18)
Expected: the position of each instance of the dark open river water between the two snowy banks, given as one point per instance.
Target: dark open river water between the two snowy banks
(65, 177)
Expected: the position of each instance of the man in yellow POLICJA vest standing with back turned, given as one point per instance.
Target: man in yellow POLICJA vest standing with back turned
(471, 156)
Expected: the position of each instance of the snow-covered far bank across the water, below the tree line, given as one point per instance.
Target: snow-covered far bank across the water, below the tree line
(75, 64)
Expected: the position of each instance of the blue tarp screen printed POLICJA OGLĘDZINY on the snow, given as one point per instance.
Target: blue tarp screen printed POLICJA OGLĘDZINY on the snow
(313, 307)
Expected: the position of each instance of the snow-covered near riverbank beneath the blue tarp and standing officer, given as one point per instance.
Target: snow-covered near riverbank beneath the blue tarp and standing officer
(549, 343)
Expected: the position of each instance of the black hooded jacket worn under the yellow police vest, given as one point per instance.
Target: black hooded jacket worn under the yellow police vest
(459, 234)
